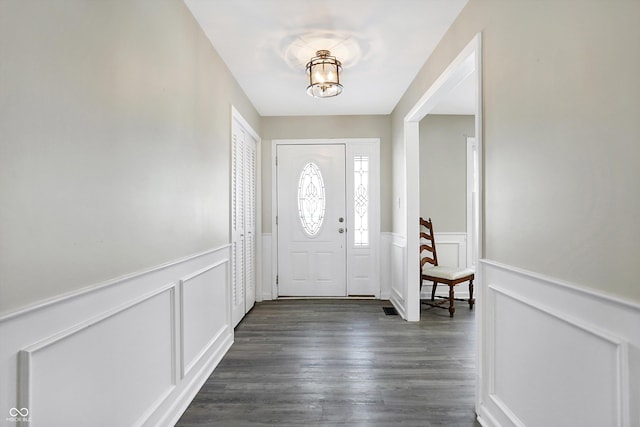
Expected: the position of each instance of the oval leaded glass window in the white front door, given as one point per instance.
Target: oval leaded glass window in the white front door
(311, 199)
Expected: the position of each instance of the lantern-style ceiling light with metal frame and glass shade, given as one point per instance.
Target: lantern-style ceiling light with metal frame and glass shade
(324, 75)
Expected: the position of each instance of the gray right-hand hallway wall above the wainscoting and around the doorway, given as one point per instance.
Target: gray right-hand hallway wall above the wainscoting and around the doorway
(560, 120)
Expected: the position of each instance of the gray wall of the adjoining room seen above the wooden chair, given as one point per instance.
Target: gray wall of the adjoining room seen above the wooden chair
(443, 170)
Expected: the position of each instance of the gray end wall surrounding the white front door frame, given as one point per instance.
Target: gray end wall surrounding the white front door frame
(327, 127)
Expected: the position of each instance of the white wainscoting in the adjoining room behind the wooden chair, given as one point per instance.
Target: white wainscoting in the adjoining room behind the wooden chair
(452, 252)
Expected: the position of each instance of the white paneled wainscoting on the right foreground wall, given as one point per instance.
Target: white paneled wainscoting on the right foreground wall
(554, 354)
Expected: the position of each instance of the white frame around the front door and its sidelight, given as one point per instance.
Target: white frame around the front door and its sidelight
(350, 144)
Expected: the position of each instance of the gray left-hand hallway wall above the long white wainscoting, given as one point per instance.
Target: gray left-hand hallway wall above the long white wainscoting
(114, 148)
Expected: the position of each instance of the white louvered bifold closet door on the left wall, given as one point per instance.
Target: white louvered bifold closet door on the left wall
(243, 222)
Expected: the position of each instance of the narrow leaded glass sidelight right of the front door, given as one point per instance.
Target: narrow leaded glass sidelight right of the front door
(361, 200)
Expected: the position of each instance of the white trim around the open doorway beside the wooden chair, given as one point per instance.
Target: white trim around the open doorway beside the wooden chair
(468, 61)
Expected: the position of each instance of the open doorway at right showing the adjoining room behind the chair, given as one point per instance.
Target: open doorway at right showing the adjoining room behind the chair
(447, 171)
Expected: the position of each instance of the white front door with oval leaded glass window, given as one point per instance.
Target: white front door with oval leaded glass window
(311, 220)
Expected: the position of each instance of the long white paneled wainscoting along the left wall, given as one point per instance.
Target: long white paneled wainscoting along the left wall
(133, 351)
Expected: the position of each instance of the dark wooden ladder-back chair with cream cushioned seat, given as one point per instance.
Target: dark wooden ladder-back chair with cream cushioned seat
(431, 271)
